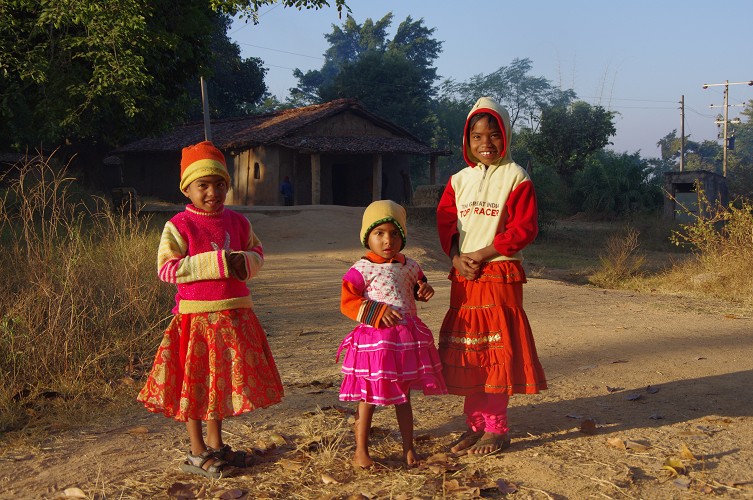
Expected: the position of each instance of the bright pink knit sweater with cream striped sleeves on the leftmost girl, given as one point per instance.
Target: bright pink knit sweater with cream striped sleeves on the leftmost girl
(193, 254)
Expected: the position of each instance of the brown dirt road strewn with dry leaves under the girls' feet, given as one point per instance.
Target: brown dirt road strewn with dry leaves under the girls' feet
(650, 397)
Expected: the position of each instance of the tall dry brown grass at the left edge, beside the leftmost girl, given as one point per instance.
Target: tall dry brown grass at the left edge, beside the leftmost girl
(81, 301)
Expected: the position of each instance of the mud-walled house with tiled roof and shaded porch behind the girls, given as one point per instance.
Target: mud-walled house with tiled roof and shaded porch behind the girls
(335, 153)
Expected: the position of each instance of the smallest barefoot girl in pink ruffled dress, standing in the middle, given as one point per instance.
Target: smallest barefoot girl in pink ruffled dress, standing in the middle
(391, 351)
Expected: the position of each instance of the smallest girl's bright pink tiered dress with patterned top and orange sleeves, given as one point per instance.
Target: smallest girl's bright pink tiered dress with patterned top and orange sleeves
(383, 364)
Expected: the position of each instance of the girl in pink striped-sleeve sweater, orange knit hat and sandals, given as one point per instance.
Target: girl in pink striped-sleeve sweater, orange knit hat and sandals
(214, 360)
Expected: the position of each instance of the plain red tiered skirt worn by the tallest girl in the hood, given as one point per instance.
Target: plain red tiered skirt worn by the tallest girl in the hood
(485, 342)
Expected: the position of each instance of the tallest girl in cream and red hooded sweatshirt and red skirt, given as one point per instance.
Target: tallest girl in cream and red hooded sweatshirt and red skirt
(486, 216)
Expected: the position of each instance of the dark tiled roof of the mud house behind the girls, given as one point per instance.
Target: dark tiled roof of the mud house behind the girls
(281, 127)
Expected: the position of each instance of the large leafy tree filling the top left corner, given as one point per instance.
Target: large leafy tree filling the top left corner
(84, 71)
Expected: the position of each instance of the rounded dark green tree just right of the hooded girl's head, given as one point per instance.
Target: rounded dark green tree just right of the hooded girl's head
(568, 135)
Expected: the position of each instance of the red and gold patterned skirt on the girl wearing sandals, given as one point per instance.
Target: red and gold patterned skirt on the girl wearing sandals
(210, 366)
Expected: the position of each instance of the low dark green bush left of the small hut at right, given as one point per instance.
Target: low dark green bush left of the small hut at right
(614, 184)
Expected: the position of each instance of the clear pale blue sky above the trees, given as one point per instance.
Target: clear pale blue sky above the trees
(637, 58)
